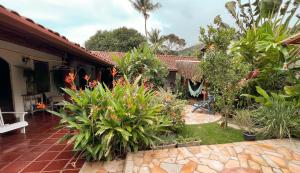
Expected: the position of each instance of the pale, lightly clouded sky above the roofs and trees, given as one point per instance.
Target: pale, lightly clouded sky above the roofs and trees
(80, 19)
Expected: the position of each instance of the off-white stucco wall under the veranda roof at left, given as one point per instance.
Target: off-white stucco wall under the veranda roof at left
(13, 54)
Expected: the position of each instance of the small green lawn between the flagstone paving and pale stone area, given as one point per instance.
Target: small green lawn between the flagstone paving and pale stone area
(211, 133)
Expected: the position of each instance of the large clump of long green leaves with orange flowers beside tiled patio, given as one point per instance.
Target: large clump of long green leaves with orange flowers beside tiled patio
(107, 124)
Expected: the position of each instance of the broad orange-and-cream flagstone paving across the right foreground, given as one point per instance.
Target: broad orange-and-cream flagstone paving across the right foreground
(279, 156)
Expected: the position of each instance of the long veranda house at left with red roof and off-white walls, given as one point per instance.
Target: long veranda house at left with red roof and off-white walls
(35, 59)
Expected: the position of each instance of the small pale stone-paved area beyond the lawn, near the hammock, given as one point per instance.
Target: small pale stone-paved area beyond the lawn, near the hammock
(199, 116)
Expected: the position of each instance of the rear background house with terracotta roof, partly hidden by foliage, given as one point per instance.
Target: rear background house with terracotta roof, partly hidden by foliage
(168, 60)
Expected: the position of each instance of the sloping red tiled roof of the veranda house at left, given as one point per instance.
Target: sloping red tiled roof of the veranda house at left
(14, 20)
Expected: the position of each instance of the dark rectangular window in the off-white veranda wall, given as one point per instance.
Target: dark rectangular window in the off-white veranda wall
(42, 76)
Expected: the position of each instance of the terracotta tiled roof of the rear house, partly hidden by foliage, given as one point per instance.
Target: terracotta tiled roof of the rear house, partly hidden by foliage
(169, 60)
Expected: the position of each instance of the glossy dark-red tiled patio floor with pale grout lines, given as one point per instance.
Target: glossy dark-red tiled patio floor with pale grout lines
(39, 150)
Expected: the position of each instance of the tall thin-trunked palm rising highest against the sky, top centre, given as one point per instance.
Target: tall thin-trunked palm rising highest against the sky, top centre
(144, 7)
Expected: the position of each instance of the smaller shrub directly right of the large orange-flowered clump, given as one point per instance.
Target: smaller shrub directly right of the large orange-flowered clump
(173, 108)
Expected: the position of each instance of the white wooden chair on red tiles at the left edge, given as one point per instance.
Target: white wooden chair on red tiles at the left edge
(18, 125)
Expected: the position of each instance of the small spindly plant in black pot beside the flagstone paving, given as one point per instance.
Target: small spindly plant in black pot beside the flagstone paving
(245, 122)
